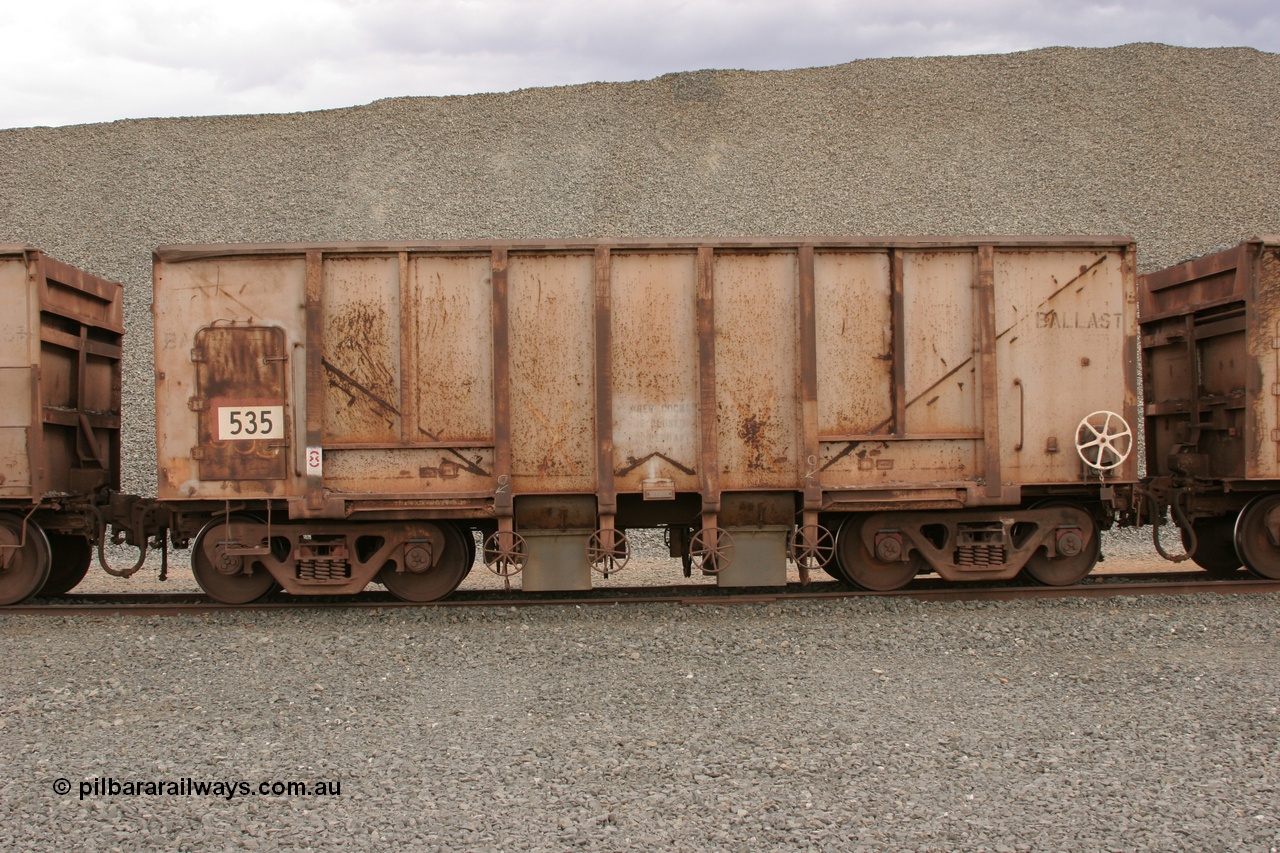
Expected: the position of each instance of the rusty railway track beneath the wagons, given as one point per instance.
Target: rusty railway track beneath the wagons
(1178, 583)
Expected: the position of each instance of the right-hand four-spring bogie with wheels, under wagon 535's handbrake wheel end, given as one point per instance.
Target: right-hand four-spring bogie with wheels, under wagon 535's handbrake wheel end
(1057, 545)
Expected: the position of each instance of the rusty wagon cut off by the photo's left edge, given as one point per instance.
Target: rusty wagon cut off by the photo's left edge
(61, 353)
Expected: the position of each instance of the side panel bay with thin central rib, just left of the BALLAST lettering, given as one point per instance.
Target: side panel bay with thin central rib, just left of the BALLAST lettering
(940, 400)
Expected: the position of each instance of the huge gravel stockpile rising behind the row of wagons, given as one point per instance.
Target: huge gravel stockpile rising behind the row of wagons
(1178, 148)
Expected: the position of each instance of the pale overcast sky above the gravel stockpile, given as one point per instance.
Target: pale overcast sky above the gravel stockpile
(74, 62)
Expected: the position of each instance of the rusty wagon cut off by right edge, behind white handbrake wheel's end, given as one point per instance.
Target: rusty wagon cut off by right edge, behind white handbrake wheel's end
(1212, 362)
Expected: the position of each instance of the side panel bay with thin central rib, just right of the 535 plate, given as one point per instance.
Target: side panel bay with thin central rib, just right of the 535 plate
(409, 375)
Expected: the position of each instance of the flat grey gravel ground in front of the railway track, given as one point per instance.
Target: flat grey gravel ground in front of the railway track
(1144, 724)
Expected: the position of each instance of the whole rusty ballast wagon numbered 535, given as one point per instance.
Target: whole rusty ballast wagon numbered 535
(331, 416)
